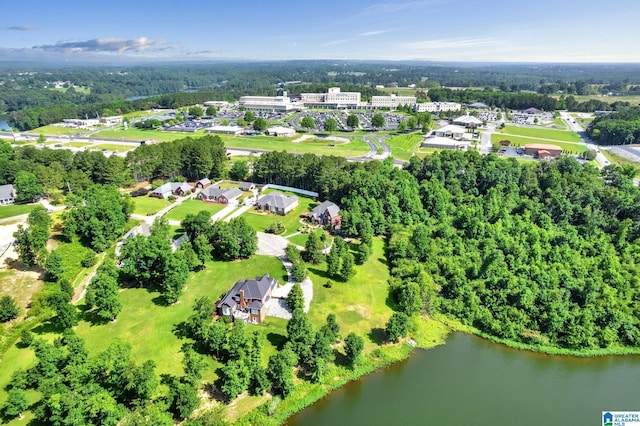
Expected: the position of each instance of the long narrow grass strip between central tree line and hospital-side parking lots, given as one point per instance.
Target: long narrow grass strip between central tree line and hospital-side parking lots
(314, 146)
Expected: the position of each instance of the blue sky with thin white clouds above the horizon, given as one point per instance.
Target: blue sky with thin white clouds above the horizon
(258, 30)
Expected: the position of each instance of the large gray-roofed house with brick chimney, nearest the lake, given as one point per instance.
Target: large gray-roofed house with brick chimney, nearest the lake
(248, 299)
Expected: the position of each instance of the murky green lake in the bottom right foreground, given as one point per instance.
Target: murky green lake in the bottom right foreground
(471, 381)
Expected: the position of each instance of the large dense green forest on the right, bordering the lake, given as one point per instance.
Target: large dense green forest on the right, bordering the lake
(544, 253)
